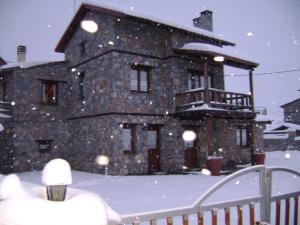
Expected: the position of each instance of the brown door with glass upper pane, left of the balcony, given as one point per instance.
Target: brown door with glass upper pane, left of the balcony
(153, 149)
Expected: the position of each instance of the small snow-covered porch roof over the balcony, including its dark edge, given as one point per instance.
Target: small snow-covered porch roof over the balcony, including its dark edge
(229, 53)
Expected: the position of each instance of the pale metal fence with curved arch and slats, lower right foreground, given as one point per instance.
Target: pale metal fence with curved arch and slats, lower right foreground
(199, 207)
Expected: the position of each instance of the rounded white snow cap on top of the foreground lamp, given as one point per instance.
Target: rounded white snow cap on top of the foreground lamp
(57, 172)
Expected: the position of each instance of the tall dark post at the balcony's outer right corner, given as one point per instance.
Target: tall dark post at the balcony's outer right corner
(253, 124)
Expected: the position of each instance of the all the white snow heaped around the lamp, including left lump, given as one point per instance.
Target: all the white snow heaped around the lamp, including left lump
(19, 207)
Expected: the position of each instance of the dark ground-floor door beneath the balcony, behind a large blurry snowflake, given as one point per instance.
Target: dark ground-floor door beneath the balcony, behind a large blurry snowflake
(190, 154)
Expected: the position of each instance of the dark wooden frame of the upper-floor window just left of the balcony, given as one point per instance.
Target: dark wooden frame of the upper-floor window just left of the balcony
(139, 69)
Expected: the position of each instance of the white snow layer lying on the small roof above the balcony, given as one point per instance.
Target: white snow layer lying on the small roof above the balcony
(225, 51)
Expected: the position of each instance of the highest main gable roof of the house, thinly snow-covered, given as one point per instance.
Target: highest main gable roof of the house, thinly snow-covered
(122, 12)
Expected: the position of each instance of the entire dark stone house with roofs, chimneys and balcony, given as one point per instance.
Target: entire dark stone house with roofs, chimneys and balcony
(128, 91)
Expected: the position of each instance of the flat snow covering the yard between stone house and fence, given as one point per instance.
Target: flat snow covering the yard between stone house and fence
(132, 194)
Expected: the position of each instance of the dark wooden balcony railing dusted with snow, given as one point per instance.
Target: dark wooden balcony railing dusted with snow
(216, 98)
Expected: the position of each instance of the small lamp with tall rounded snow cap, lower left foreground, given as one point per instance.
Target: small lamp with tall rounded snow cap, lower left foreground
(57, 176)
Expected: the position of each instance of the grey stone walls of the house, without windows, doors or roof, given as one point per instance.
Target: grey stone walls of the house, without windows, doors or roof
(88, 119)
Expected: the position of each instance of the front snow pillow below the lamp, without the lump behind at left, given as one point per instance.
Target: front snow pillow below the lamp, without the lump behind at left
(84, 208)
